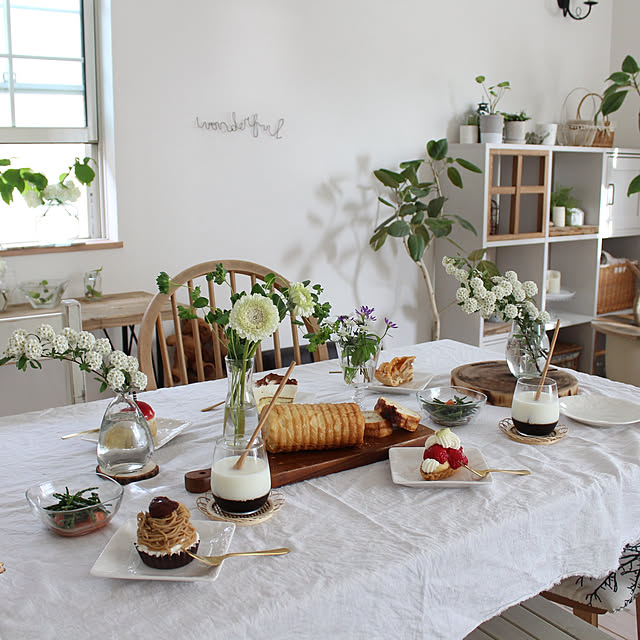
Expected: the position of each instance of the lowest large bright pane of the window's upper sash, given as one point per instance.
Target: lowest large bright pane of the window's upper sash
(49, 110)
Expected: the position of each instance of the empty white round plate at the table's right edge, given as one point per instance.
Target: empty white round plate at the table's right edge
(599, 410)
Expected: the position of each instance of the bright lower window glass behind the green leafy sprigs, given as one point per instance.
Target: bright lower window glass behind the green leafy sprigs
(18, 223)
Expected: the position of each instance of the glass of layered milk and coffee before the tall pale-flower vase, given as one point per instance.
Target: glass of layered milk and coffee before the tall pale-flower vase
(245, 490)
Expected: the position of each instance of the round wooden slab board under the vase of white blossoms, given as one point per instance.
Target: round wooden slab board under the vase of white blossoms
(494, 379)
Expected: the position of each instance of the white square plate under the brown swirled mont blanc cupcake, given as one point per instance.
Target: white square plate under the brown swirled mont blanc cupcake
(119, 559)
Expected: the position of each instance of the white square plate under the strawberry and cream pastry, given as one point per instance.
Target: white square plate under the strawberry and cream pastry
(405, 469)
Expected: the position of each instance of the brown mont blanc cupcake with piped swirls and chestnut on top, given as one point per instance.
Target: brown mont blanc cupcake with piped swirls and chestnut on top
(165, 534)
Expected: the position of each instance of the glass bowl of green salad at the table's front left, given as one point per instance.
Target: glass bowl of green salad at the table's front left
(79, 521)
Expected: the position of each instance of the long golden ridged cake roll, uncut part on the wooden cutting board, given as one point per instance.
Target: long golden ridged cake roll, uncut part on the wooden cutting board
(301, 427)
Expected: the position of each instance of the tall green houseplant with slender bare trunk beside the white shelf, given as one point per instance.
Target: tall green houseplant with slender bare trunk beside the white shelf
(418, 215)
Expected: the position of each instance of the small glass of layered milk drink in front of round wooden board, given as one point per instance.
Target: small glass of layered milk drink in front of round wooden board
(533, 417)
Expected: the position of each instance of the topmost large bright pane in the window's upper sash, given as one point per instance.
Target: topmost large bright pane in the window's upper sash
(46, 29)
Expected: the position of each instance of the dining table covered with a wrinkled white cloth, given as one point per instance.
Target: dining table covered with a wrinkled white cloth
(370, 558)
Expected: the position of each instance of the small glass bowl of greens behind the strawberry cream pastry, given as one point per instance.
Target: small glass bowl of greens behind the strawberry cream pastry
(451, 406)
